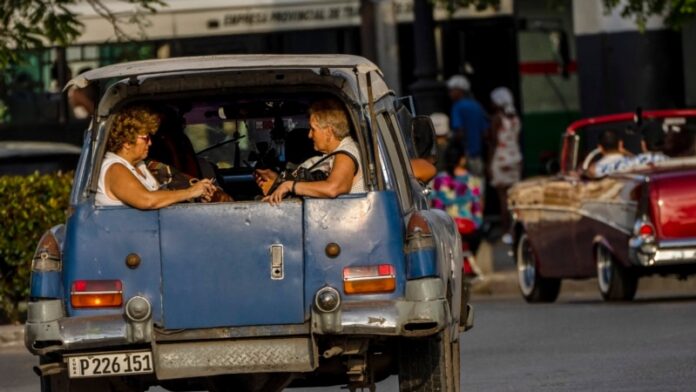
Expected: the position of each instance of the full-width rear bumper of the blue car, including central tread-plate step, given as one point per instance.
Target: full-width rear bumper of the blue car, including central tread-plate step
(205, 352)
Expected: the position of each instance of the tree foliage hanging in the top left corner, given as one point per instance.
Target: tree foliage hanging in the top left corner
(30, 24)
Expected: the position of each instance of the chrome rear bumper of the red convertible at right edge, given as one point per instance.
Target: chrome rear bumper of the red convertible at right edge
(647, 252)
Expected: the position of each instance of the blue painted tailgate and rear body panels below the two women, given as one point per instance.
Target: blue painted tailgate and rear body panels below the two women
(209, 265)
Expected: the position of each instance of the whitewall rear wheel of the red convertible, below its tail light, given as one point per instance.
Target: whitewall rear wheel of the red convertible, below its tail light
(615, 282)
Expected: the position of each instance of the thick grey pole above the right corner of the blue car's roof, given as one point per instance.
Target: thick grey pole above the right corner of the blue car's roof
(379, 38)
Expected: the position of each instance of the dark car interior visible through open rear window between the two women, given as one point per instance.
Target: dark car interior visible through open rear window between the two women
(227, 138)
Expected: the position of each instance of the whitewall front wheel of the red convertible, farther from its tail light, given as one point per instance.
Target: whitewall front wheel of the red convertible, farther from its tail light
(533, 287)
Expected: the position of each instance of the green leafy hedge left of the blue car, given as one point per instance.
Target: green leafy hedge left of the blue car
(29, 205)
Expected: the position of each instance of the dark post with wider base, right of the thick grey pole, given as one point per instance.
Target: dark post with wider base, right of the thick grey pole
(428, 92)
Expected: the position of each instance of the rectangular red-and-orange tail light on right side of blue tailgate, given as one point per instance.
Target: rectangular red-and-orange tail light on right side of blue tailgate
(372, 279)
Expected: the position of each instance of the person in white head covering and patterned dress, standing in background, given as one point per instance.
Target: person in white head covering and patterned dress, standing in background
(505, 166)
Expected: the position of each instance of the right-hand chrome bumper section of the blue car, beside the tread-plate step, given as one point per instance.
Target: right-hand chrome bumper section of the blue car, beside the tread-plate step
(422, 312)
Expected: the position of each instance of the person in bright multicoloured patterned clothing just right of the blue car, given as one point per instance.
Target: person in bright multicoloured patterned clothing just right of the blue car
(460, 194)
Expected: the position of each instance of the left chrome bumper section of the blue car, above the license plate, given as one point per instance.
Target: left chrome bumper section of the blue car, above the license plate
(48, 330)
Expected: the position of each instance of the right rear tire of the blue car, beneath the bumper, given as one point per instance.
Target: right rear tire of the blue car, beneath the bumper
(429, 364)
